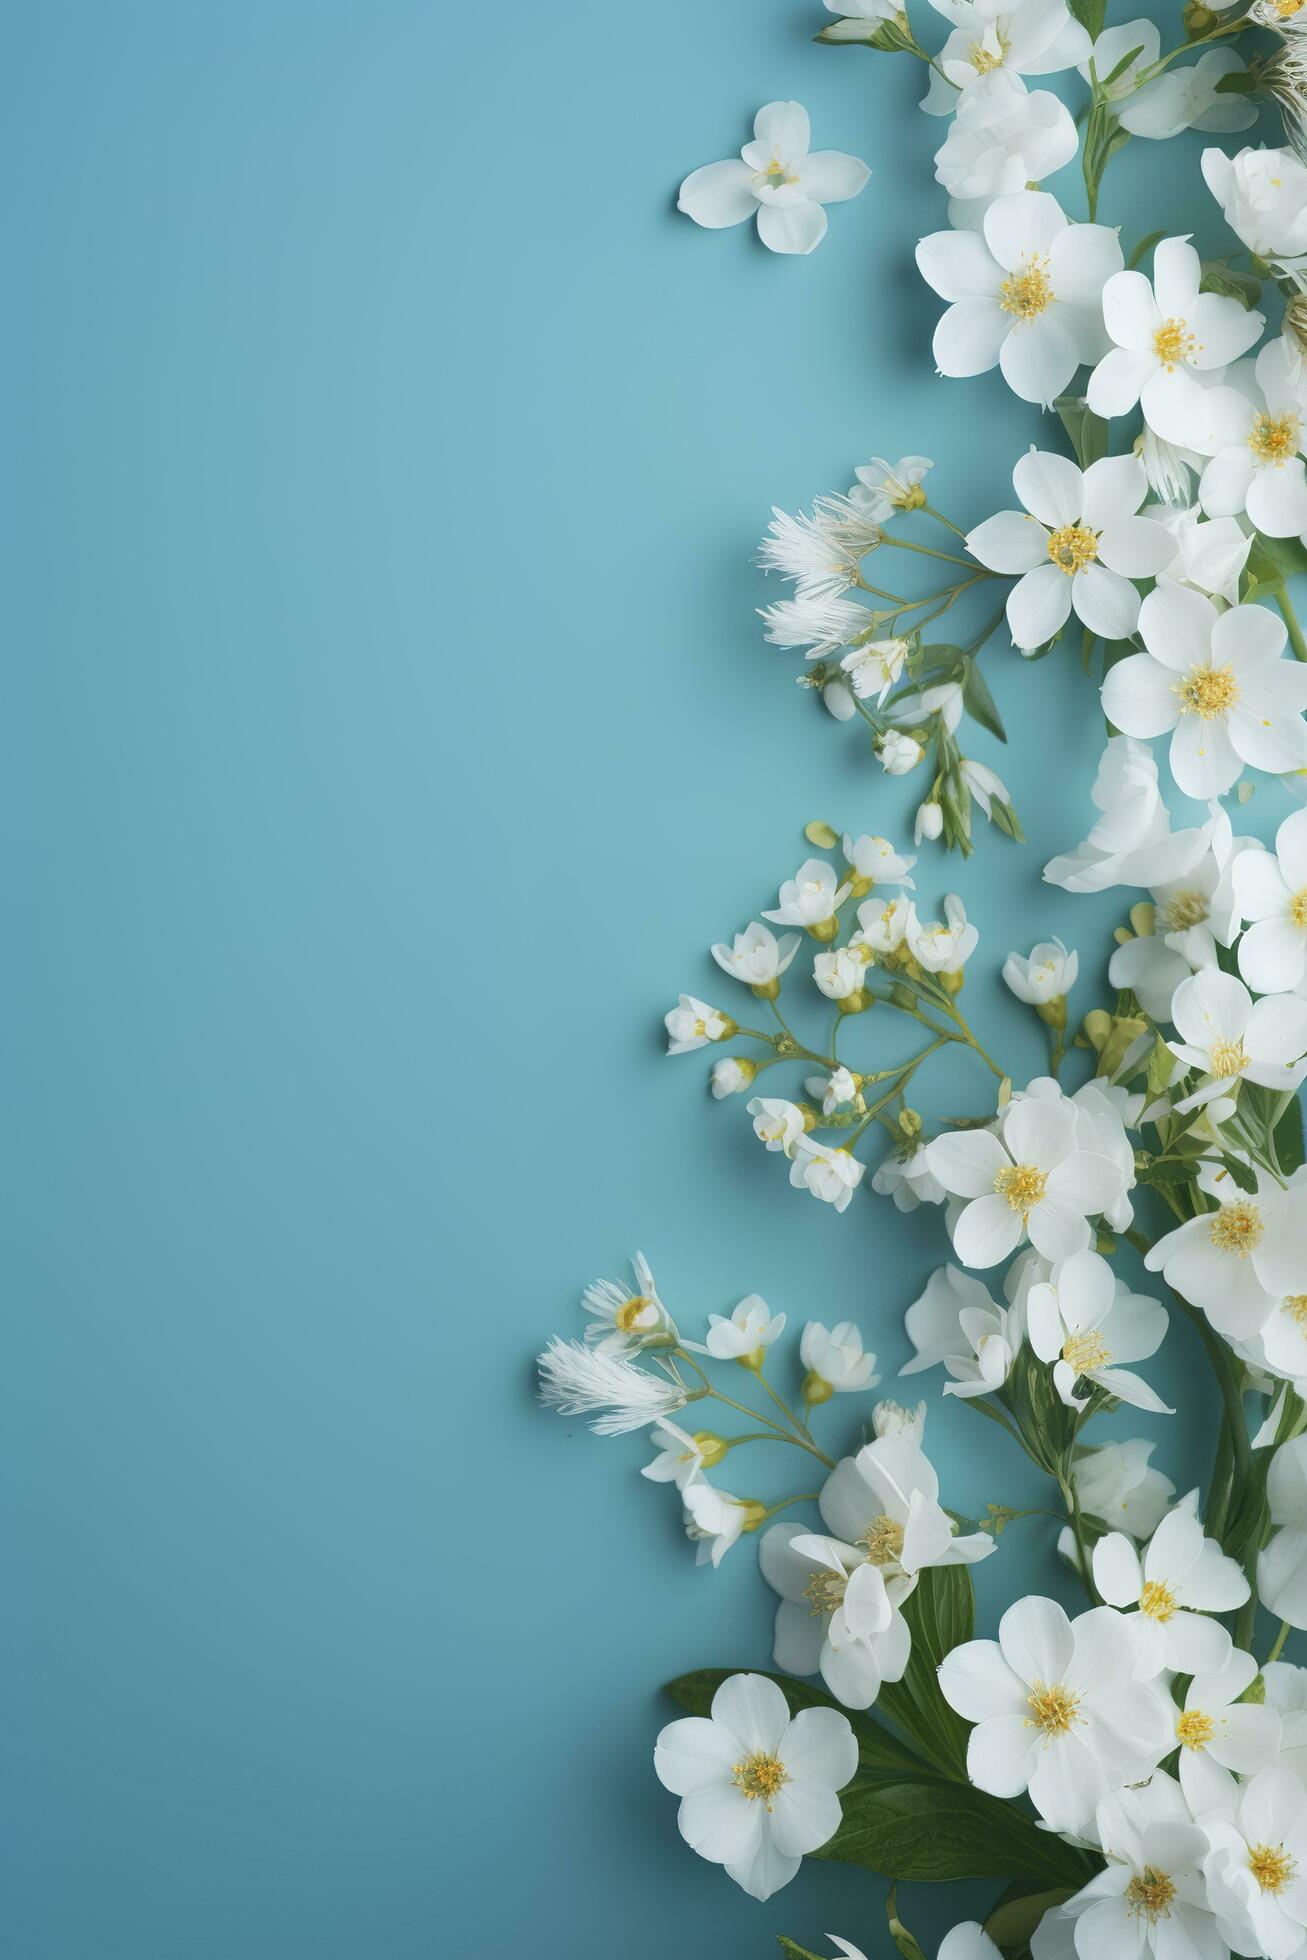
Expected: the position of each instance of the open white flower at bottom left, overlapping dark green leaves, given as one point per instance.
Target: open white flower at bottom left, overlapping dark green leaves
(757, 1788)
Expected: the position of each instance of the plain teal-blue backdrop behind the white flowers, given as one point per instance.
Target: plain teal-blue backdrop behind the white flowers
(387, 736)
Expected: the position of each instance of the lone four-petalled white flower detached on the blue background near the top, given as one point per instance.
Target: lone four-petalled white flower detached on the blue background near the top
(781, 181)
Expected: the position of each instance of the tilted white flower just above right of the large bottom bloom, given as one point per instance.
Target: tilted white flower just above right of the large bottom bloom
(1179, 1581)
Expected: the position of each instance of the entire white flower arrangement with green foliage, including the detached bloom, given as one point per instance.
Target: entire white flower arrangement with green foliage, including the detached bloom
(1136, 1773)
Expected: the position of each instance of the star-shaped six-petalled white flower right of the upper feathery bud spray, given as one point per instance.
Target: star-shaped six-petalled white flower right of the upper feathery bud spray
(1079, 548)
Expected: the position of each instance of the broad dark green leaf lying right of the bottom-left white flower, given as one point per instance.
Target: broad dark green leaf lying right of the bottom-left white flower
(936, 1832)
